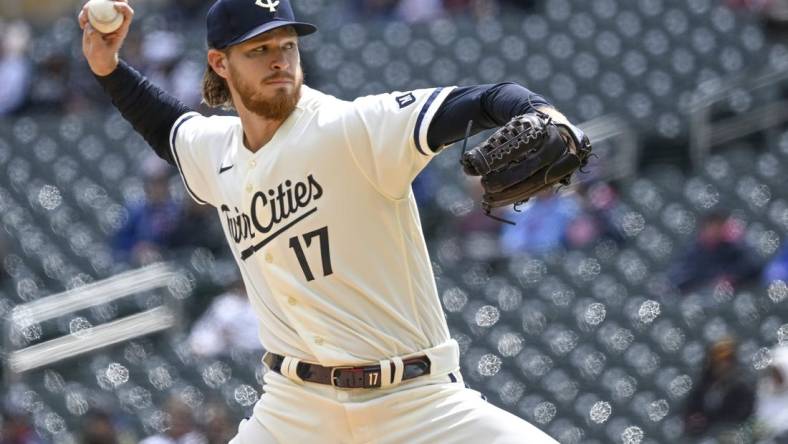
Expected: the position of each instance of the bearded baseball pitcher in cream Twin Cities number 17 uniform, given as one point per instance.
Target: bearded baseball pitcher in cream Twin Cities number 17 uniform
(314, 196)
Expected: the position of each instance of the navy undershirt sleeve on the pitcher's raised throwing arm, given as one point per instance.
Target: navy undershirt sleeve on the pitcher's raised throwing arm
(151, 111)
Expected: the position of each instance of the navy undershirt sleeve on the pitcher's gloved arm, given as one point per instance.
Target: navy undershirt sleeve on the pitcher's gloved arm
(488, 106)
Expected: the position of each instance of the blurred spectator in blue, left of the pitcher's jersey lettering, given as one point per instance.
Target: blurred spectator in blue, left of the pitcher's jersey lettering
(152, 223)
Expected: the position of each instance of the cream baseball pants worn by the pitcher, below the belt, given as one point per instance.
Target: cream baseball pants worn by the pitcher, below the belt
(434, 409)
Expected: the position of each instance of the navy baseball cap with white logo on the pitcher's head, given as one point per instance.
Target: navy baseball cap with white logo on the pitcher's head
(234, 21)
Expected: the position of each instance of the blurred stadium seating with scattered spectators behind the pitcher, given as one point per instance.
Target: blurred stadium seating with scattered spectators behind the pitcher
(646, 304)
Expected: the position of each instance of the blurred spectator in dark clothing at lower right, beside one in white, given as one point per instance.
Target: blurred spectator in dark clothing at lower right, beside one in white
(723, 398)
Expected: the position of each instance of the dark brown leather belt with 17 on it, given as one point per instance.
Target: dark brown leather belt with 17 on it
(349, 377)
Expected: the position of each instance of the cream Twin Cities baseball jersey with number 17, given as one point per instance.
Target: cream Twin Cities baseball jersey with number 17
(323, 223)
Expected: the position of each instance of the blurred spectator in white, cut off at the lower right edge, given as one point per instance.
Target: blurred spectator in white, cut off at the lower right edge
(772, 403)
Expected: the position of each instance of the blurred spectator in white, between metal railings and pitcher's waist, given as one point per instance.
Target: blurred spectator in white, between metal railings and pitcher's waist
(228, 324)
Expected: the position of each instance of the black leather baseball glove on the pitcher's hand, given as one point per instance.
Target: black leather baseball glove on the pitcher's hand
(527, 155)
